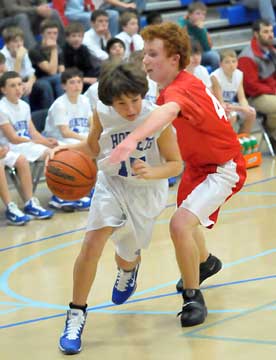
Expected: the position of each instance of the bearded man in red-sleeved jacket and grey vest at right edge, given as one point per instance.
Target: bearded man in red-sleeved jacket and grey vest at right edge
(257, 62)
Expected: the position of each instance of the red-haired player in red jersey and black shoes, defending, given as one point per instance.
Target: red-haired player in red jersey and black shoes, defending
(214, 166)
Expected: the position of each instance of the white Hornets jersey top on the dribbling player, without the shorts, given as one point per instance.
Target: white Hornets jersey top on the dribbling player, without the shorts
(115, 130)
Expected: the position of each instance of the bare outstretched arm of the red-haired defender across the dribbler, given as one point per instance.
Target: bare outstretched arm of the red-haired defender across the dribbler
(158, 119)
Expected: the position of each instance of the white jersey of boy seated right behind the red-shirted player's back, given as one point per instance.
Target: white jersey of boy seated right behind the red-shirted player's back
(229, 87)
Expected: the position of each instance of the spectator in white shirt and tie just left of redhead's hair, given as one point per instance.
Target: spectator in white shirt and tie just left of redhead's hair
(133, 41)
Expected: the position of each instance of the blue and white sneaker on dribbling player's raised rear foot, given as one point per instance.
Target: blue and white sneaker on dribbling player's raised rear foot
(125, 285)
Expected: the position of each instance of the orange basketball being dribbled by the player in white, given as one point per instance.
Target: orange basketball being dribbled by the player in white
(70, 174)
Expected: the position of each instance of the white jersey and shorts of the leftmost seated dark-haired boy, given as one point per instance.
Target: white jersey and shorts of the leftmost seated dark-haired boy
(19, 116)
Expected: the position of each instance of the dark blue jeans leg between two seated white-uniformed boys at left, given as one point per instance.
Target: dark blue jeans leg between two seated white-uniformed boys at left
(42, 95)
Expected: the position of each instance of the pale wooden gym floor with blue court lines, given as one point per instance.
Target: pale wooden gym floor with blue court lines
(35, 286)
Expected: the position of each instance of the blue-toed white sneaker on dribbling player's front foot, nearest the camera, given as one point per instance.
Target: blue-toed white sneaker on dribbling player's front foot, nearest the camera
(70, 340)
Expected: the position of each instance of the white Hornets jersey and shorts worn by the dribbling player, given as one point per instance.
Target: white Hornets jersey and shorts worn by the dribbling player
(120, 199)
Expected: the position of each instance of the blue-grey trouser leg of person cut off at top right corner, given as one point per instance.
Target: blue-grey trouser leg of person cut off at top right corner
(265, 8)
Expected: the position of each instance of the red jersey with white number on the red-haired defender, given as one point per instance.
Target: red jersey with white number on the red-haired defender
(204, 134)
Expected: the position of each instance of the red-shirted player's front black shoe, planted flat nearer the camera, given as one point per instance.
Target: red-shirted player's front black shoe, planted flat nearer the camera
(194, 310)
